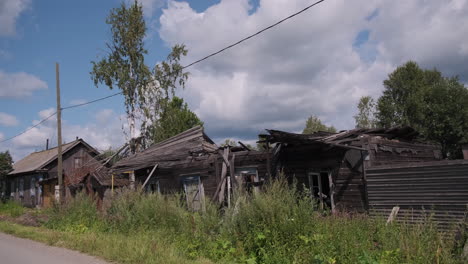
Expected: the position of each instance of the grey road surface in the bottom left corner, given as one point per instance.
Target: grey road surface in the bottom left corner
(15, 250)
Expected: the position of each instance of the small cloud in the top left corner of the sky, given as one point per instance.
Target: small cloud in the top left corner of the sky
(9, 13)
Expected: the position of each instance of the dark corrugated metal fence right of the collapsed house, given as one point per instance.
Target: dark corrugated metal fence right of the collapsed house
(436, 189)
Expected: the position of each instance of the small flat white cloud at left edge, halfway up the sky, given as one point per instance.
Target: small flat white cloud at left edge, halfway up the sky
(19, 84)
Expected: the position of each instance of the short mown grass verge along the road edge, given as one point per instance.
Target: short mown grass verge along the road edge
(141, 248)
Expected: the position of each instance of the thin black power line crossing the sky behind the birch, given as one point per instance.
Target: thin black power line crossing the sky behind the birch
(184, 67)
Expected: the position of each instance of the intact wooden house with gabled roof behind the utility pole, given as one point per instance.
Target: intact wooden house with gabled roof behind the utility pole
(34, 178)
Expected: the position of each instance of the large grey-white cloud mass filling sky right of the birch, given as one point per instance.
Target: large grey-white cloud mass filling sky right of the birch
(309, 64)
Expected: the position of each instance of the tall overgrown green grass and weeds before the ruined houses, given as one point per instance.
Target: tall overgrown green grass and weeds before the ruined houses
(277, 225)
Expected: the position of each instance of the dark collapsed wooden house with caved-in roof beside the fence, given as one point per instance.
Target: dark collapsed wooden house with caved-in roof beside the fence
(330, 165)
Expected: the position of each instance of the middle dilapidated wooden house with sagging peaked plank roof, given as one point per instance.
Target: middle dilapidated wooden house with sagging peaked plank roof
(192, 163)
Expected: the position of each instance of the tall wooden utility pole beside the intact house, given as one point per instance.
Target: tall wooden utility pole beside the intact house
(59, 137)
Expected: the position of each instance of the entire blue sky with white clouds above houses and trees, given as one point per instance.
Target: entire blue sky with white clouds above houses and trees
(318, 63)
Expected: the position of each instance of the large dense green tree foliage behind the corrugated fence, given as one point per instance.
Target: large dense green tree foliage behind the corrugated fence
(434, 105)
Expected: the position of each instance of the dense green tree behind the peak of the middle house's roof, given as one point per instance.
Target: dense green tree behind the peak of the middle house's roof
(175, 119)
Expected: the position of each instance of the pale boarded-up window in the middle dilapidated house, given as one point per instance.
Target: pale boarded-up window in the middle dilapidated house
(194, 192)
